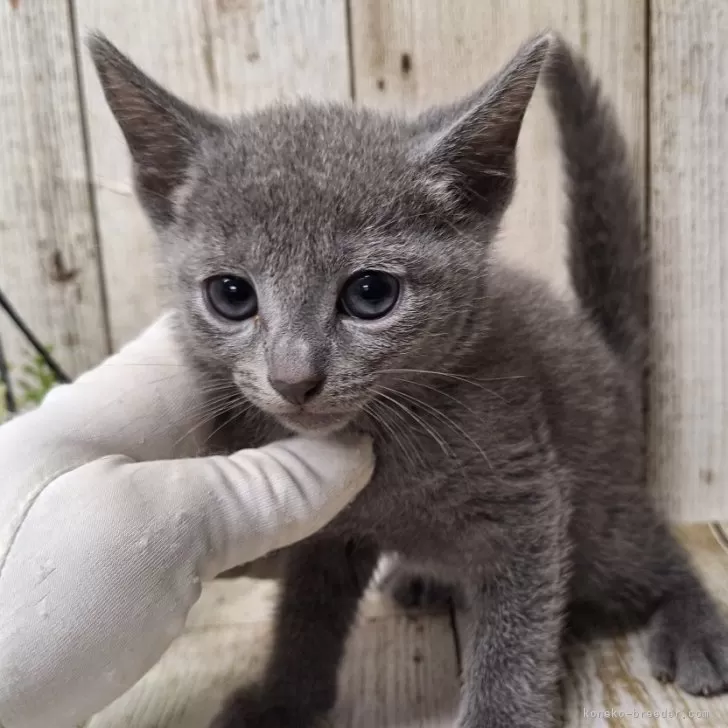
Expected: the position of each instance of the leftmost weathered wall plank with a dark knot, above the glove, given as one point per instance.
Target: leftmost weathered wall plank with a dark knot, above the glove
(48, 257)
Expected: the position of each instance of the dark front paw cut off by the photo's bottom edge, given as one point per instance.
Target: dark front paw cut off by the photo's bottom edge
(253, 709)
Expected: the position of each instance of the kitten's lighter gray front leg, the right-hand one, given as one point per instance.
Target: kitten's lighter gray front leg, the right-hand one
(513, 658)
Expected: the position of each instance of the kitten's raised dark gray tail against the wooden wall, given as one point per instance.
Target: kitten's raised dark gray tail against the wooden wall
(606, 253)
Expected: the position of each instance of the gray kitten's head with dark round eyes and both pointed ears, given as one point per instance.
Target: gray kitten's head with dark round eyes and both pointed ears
(319, 252)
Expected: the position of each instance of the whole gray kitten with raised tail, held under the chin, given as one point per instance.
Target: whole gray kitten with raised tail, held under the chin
(333, 269)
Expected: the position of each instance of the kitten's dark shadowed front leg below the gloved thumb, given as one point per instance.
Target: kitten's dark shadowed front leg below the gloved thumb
(324, 582)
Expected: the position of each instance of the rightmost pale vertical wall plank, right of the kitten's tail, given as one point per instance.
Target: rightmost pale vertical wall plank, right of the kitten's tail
(689, 233)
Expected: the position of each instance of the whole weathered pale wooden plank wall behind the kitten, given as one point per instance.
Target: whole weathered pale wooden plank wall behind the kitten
(77, 257)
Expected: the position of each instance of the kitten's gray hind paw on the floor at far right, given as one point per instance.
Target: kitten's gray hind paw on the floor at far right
(688, 645)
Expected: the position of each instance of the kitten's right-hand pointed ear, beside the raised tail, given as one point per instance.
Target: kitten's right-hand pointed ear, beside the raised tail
(470, 156)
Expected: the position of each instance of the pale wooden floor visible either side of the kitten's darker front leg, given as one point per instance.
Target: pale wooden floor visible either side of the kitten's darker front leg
(399, 670)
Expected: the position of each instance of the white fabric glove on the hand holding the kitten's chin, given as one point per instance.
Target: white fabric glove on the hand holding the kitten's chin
(108, 523)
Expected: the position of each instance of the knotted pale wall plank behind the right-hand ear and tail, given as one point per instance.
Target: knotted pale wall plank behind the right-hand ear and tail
(409, 54)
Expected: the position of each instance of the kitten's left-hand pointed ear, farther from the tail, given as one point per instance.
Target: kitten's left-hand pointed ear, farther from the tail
(161, 131)
